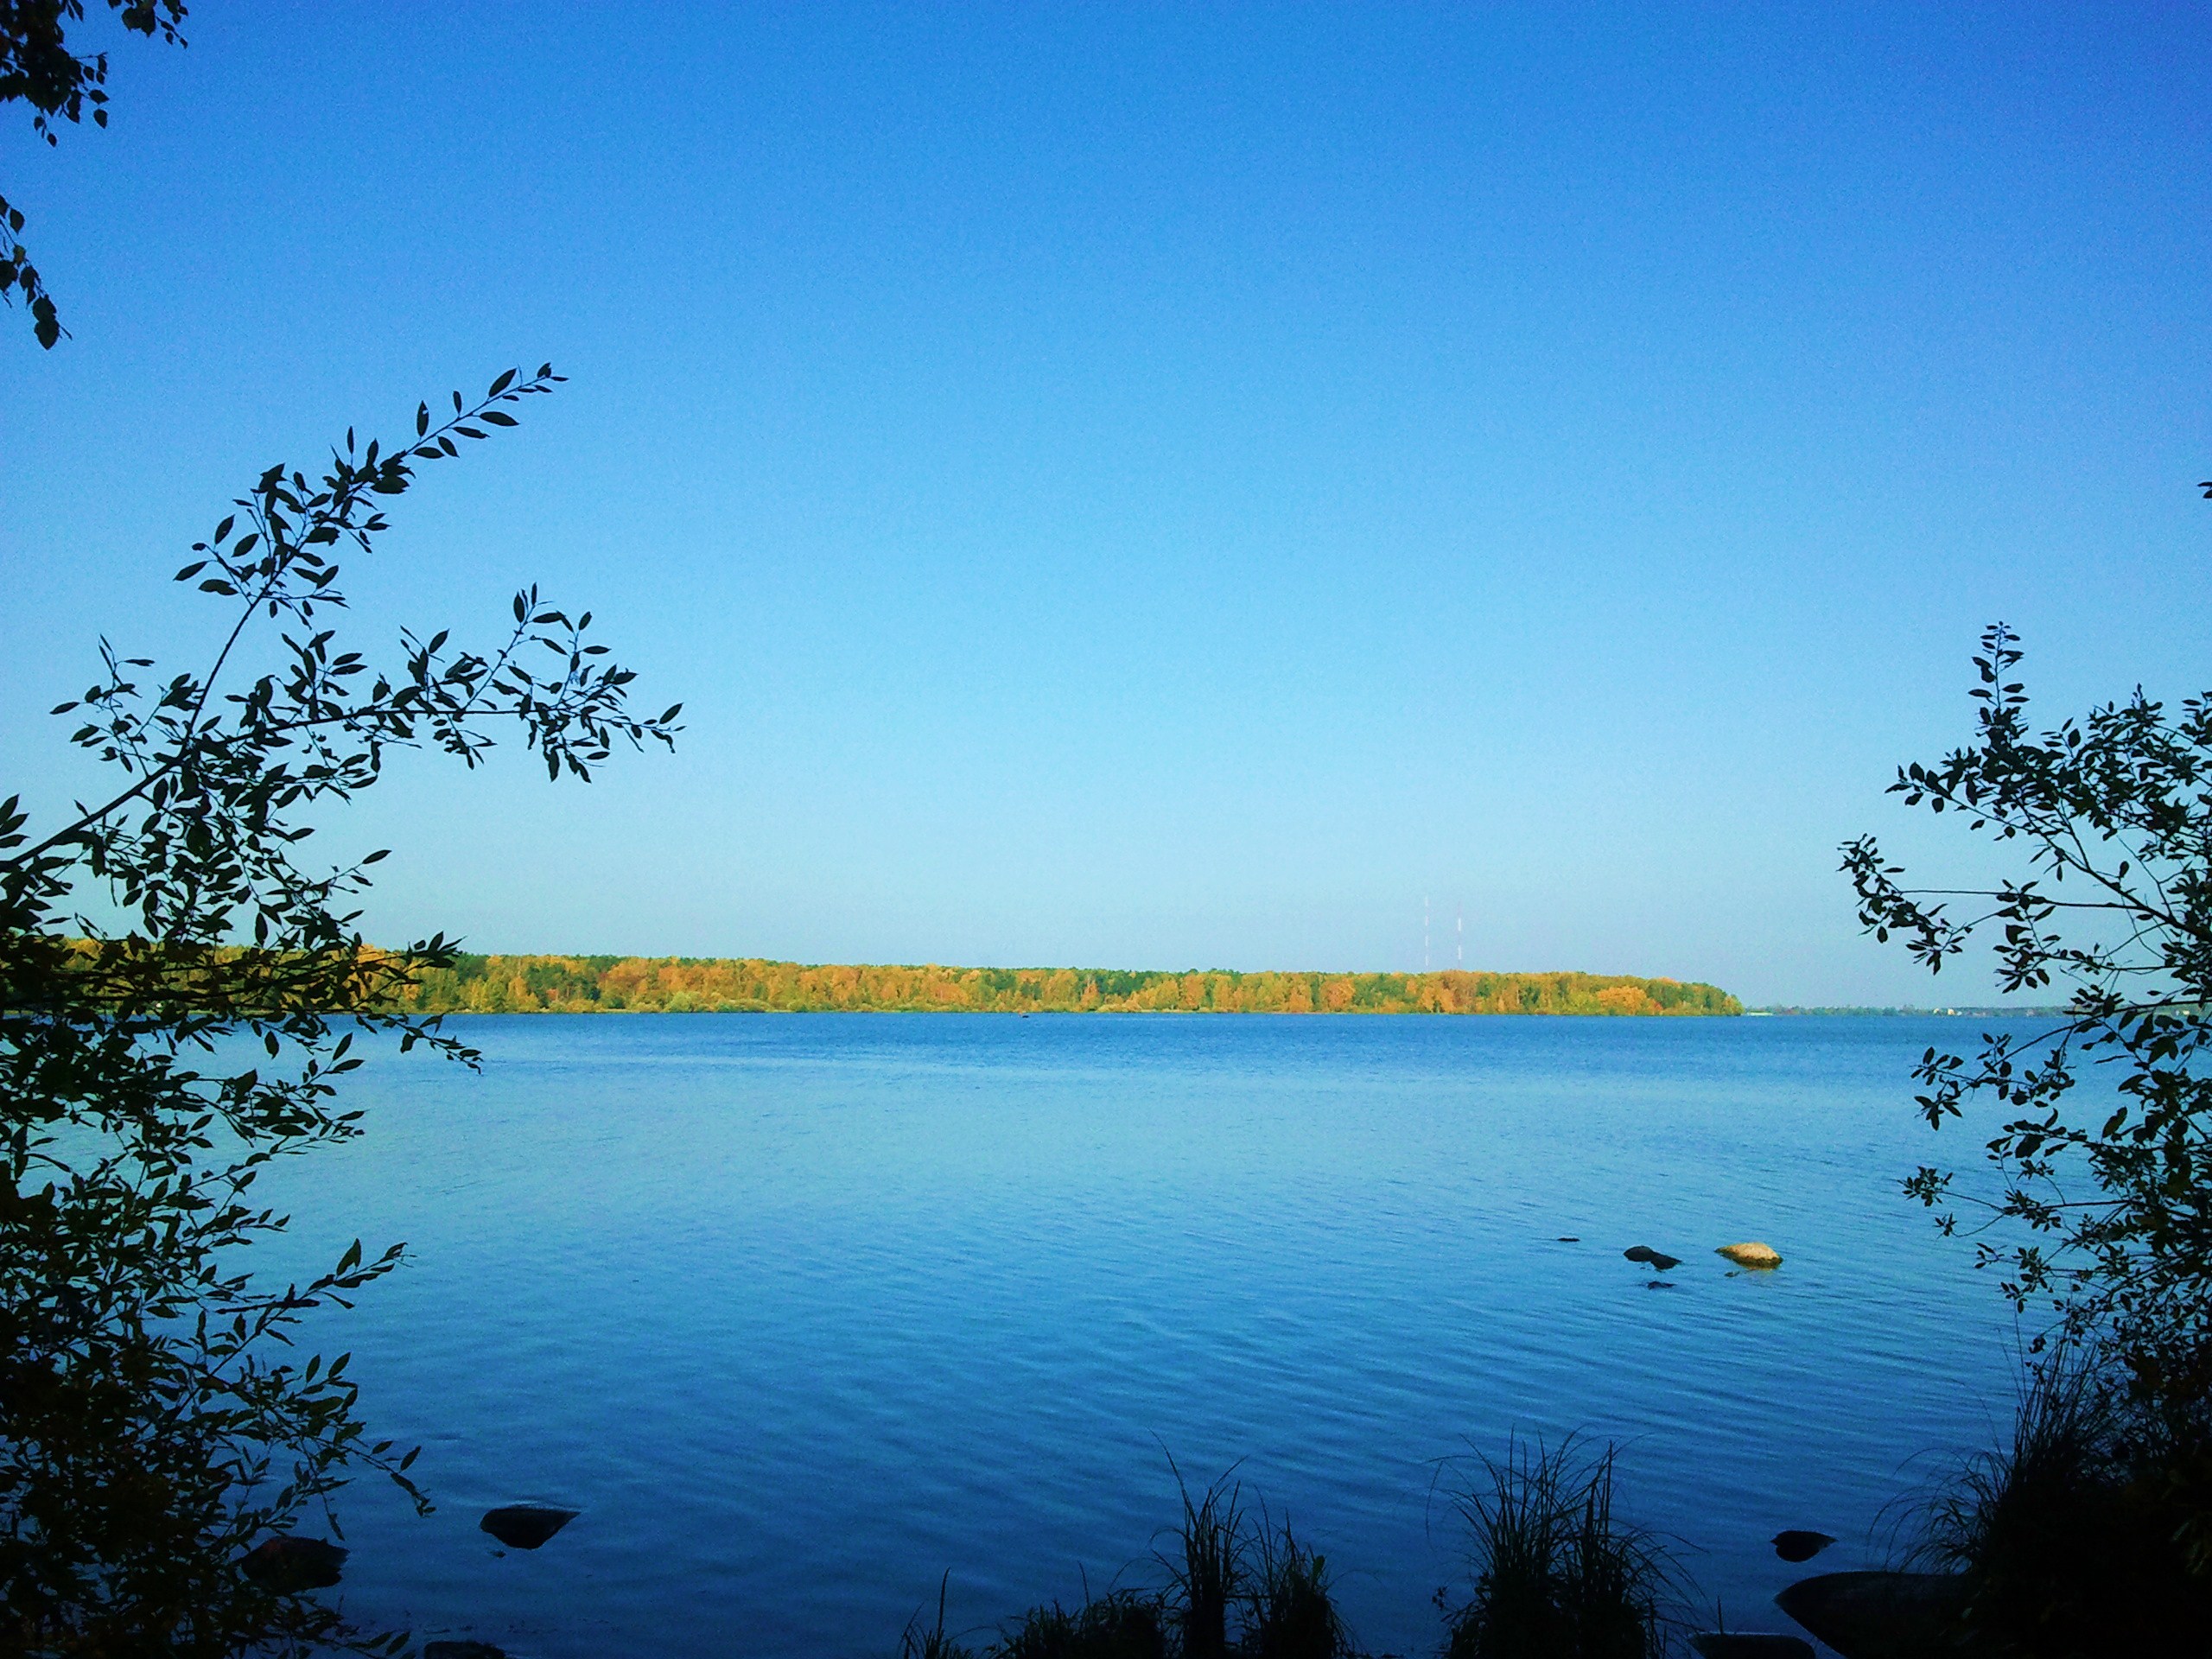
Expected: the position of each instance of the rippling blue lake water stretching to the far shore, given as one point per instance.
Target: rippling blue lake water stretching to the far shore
(811, 1311)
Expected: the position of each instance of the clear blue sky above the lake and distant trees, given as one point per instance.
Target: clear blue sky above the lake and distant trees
(1156, 486)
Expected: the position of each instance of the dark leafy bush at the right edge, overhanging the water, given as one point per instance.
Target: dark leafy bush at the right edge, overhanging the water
(2103, 1196)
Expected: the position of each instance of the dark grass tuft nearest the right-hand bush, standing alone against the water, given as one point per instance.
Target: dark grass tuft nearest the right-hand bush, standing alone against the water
(1556, 1574)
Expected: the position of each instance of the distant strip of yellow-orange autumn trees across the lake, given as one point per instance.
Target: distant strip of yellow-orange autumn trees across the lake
(747, 985)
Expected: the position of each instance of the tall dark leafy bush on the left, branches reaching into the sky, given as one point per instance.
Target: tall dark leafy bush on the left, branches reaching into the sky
(152, 1419)
